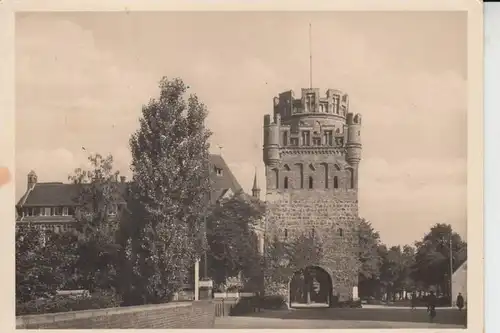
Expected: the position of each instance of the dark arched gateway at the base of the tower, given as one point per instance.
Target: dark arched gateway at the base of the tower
(310, 285)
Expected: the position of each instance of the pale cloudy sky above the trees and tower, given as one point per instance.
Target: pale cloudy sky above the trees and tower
(82, 78)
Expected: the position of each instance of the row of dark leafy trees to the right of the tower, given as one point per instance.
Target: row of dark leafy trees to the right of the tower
(392, 270)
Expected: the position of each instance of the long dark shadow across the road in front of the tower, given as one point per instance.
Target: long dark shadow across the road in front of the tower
(444, 316)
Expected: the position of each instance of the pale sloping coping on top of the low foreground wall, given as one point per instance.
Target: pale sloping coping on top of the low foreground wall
(46, 318)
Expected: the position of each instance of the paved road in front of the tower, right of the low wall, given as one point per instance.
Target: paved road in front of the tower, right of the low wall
(345, 318)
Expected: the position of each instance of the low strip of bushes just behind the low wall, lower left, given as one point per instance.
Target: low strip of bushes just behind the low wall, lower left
(65, 304)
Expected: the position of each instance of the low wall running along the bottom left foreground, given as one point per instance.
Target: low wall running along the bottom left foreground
(199, 314)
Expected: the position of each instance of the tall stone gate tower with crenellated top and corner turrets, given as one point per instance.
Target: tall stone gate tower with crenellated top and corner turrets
(312, 150)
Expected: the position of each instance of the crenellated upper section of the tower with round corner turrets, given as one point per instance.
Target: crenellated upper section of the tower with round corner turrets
(312, 125)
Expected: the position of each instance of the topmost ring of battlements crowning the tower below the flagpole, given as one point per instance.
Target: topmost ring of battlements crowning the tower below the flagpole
(334, 103)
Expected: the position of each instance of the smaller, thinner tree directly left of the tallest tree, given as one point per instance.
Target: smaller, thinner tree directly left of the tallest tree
(97, 214)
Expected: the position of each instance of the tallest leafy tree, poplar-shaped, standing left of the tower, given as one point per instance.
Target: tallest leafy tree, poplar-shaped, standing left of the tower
(170, 171)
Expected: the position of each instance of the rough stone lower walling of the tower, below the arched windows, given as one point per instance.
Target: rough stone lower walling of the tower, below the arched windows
(328, 211)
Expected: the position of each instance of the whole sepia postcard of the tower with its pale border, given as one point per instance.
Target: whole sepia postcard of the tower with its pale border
(257, 169)
